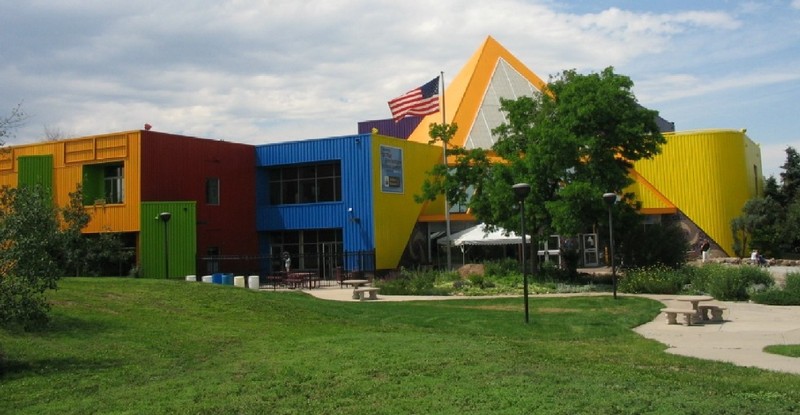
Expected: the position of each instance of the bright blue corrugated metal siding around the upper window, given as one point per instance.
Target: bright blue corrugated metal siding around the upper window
(353, 152)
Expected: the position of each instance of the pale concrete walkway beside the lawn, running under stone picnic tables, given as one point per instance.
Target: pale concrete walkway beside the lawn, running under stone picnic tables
(740, 339)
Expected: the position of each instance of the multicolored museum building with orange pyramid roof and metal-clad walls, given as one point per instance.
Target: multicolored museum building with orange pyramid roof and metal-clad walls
(346, 203)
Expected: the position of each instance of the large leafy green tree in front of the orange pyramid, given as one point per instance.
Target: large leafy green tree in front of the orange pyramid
(572, 143)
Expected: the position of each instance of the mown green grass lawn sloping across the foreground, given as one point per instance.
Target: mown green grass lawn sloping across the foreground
(152, 346)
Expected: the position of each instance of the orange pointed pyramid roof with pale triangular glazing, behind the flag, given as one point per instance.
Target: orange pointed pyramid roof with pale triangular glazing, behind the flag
(470, 91)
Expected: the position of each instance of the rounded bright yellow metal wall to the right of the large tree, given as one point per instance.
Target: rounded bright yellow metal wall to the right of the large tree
(708, 175)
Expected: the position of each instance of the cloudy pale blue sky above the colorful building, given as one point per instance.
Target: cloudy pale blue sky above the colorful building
(260, 71)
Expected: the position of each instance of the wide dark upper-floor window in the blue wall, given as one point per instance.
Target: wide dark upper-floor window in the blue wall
(311, 183)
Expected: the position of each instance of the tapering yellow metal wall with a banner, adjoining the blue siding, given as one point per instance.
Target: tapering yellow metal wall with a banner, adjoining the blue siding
(396, 214)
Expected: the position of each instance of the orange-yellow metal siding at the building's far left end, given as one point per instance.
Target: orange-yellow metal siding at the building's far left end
(69, 157)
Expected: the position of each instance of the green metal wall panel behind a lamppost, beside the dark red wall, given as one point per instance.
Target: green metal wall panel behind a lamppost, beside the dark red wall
(181, 240)
